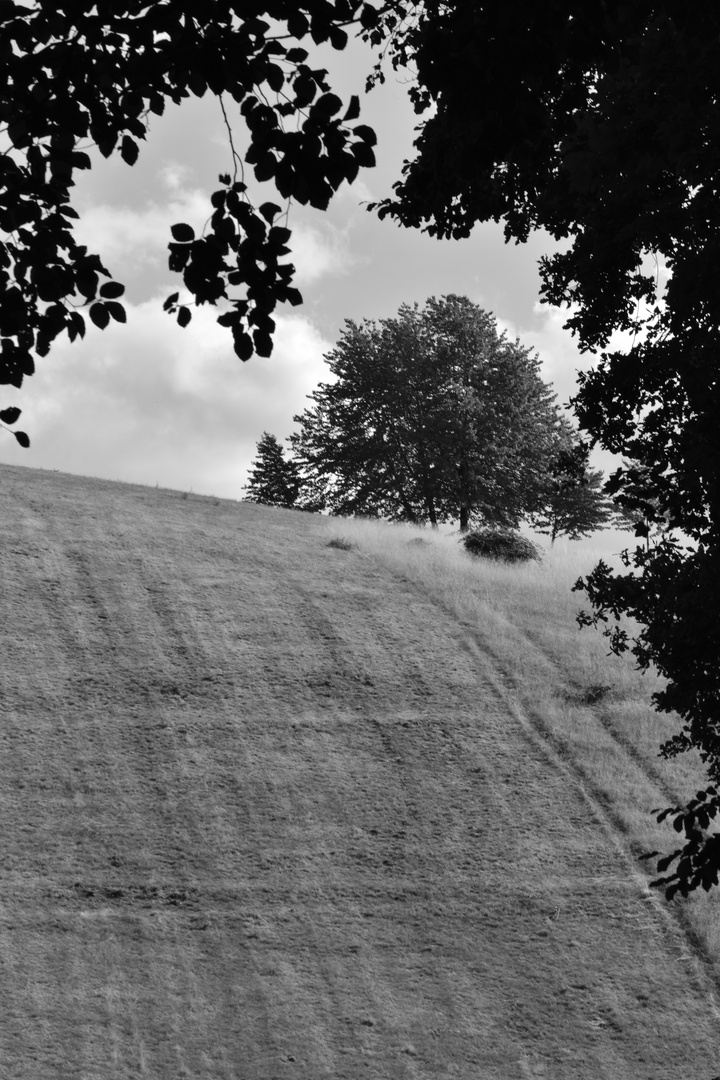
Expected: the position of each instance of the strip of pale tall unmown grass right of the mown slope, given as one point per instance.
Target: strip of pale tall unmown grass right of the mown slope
(596, 707)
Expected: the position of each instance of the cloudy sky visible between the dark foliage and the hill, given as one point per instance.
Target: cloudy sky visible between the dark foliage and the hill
(150, 402)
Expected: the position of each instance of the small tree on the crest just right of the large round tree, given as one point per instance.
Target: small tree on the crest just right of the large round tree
(576, 505)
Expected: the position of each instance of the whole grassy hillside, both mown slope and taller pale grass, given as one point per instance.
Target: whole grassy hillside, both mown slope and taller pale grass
(274, 808)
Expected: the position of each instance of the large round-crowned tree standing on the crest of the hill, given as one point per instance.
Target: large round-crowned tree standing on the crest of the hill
(432, 416)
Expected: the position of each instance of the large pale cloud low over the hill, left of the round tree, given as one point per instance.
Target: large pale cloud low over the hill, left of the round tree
(153, 403)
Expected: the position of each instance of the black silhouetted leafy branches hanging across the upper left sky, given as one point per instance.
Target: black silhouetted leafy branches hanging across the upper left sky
(77, 74)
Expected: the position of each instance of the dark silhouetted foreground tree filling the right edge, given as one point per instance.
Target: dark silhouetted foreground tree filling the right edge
(603, 131)
